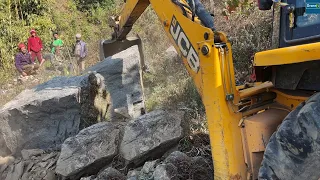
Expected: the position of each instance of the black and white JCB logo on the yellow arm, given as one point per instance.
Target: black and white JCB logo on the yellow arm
(184, 44)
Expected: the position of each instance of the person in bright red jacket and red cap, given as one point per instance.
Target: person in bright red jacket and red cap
(35, 47)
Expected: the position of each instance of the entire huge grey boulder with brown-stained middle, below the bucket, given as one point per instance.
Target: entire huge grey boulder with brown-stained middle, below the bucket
(43, 117)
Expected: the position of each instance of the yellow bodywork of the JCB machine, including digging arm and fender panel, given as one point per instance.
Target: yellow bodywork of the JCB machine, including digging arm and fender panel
(240, 119)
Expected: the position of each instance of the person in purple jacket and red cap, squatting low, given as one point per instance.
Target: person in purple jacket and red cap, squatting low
(23, 62)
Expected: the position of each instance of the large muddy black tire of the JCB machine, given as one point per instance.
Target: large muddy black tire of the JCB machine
(293, 151)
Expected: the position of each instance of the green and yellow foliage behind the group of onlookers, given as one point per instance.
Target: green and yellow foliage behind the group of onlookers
(18, 17)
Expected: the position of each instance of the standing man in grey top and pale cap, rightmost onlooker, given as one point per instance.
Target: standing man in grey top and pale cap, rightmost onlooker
(80, 52)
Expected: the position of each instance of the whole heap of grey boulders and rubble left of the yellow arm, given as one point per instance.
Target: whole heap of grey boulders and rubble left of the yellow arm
(93, 127)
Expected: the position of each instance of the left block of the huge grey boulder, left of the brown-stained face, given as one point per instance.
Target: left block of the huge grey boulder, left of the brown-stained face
(42, 117)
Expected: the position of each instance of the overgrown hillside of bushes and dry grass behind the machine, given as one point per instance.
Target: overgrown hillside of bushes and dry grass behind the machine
(89, 18)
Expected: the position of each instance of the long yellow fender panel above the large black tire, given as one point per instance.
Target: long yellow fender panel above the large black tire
(288, 55)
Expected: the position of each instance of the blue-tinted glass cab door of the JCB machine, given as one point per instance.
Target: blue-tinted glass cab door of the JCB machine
(306, 27)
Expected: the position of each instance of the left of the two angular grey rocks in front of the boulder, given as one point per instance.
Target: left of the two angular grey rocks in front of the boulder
(89, 151)
